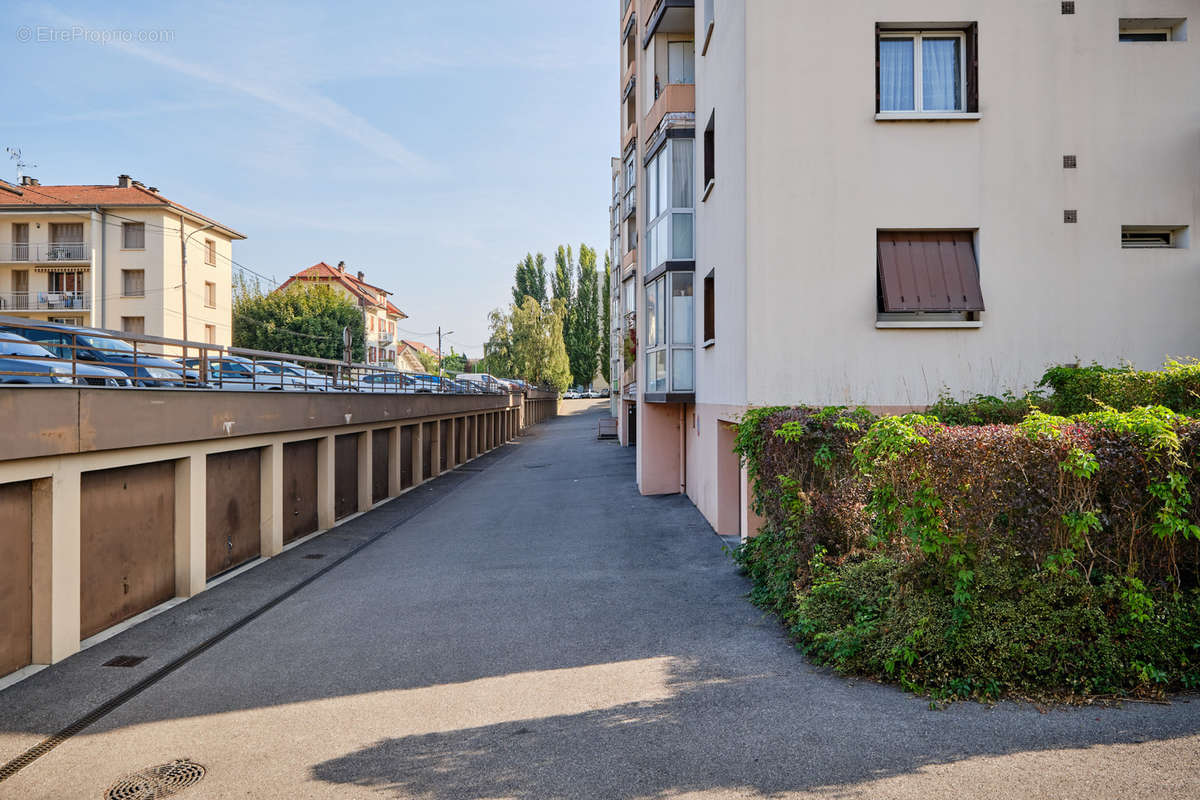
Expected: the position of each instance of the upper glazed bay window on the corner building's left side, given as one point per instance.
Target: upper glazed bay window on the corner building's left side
(670, 204)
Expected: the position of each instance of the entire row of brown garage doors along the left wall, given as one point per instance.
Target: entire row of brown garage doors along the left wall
(128, 527)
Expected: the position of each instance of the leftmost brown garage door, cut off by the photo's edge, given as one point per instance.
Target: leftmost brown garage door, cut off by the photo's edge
(16, 576)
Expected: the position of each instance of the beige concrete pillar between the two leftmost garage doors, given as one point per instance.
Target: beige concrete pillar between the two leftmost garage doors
(57, 546)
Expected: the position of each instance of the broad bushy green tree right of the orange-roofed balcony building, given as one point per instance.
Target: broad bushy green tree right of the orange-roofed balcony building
(303, 320)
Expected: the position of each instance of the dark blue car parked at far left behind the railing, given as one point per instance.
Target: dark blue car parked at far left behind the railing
(99, 348)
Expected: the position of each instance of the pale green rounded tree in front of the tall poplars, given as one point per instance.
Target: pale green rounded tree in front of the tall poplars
(527, 344)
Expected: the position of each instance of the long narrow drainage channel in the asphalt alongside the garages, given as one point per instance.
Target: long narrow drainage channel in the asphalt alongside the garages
(52, 742)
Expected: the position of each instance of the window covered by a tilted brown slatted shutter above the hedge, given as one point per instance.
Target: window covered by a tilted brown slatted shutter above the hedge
(931, 279)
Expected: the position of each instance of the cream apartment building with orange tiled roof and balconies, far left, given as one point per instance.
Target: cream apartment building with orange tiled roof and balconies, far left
(112, 256)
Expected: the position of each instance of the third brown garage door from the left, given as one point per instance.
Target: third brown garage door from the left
(233, 503)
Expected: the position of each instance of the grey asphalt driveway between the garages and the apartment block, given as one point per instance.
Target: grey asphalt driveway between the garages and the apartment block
(536, 629)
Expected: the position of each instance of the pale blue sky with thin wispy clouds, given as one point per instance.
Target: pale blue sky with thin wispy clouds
(429, 145)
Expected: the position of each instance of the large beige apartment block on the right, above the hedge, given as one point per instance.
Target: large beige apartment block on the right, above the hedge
(871, 203)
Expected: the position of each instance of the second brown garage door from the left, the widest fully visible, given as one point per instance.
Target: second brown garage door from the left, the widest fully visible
(128, 543)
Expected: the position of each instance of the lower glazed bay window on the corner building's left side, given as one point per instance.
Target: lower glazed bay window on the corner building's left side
(670, 334)
